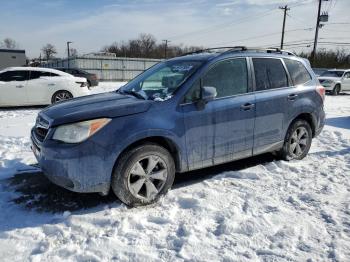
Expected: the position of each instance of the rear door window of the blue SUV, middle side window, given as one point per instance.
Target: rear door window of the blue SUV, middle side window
(269, 74)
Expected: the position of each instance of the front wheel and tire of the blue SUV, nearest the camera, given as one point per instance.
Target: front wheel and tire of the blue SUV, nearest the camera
(143, 174)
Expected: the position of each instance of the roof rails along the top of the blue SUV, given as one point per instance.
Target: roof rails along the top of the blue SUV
(240, 49)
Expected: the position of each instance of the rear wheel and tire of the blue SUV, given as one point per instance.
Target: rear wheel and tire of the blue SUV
(299, 131)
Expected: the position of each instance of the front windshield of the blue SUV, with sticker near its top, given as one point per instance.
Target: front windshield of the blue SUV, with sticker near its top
(160, 82)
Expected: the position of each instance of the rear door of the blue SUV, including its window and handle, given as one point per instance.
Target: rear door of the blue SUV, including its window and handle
(274, 96)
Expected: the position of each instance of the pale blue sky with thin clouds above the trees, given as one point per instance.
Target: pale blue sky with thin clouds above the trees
(92, 24)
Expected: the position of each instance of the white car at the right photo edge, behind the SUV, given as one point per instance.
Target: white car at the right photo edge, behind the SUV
(335, 81)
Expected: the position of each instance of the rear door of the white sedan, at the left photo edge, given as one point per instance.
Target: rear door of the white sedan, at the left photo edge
(13, 86)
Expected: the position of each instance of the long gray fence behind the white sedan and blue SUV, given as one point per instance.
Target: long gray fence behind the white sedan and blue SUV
(107, 68)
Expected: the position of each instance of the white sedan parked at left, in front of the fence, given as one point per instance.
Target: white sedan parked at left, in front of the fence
(21, 86)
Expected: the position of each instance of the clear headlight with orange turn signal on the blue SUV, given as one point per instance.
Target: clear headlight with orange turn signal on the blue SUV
(78, 132)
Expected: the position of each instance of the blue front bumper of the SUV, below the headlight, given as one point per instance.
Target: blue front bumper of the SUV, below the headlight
(76, 167)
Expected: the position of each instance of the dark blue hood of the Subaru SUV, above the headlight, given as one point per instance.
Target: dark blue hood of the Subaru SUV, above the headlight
(109, 105)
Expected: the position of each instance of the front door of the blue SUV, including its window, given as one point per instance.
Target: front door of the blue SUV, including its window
(223, 130)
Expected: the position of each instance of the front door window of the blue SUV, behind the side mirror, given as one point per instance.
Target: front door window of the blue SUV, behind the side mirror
(229, 77)
